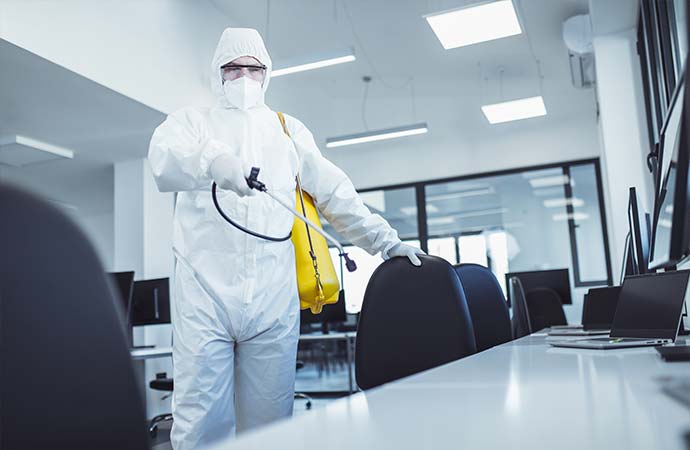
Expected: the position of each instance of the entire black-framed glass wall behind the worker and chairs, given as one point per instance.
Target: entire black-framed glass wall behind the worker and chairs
(525, 219)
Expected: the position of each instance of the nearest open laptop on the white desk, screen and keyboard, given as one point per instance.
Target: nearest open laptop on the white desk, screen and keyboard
(648, 313)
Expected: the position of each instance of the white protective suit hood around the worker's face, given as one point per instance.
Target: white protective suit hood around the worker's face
(233, 43)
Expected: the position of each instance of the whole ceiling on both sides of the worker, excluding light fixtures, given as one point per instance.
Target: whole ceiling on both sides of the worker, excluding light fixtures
(414, 80)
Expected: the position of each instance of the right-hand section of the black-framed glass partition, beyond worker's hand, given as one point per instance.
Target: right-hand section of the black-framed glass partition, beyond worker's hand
(522, 220)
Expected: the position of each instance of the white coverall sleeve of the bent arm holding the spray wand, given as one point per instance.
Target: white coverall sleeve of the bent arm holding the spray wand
(181, 152)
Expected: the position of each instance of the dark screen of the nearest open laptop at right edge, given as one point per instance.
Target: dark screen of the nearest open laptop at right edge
(650, 305)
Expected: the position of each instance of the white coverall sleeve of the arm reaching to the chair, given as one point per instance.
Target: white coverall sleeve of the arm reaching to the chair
(336, 197)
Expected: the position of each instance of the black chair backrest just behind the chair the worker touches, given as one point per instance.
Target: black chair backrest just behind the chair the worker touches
(487, 305)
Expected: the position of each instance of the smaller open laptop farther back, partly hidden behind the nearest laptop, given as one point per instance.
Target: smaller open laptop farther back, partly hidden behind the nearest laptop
(597, 313)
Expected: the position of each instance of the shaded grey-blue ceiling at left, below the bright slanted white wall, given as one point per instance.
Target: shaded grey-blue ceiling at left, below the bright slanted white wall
(44, 101)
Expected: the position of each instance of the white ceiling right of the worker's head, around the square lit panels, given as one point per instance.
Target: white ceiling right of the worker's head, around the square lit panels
(414, 78)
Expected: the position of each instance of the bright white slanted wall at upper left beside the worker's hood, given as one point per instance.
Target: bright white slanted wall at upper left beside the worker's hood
(146, 50)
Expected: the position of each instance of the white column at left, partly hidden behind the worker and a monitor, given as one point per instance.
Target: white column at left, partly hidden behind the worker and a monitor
(143, 243)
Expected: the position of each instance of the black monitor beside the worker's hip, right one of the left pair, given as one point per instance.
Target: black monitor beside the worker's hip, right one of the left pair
(151, 302)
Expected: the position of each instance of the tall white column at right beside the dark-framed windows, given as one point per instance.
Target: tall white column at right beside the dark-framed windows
(623, 130)
